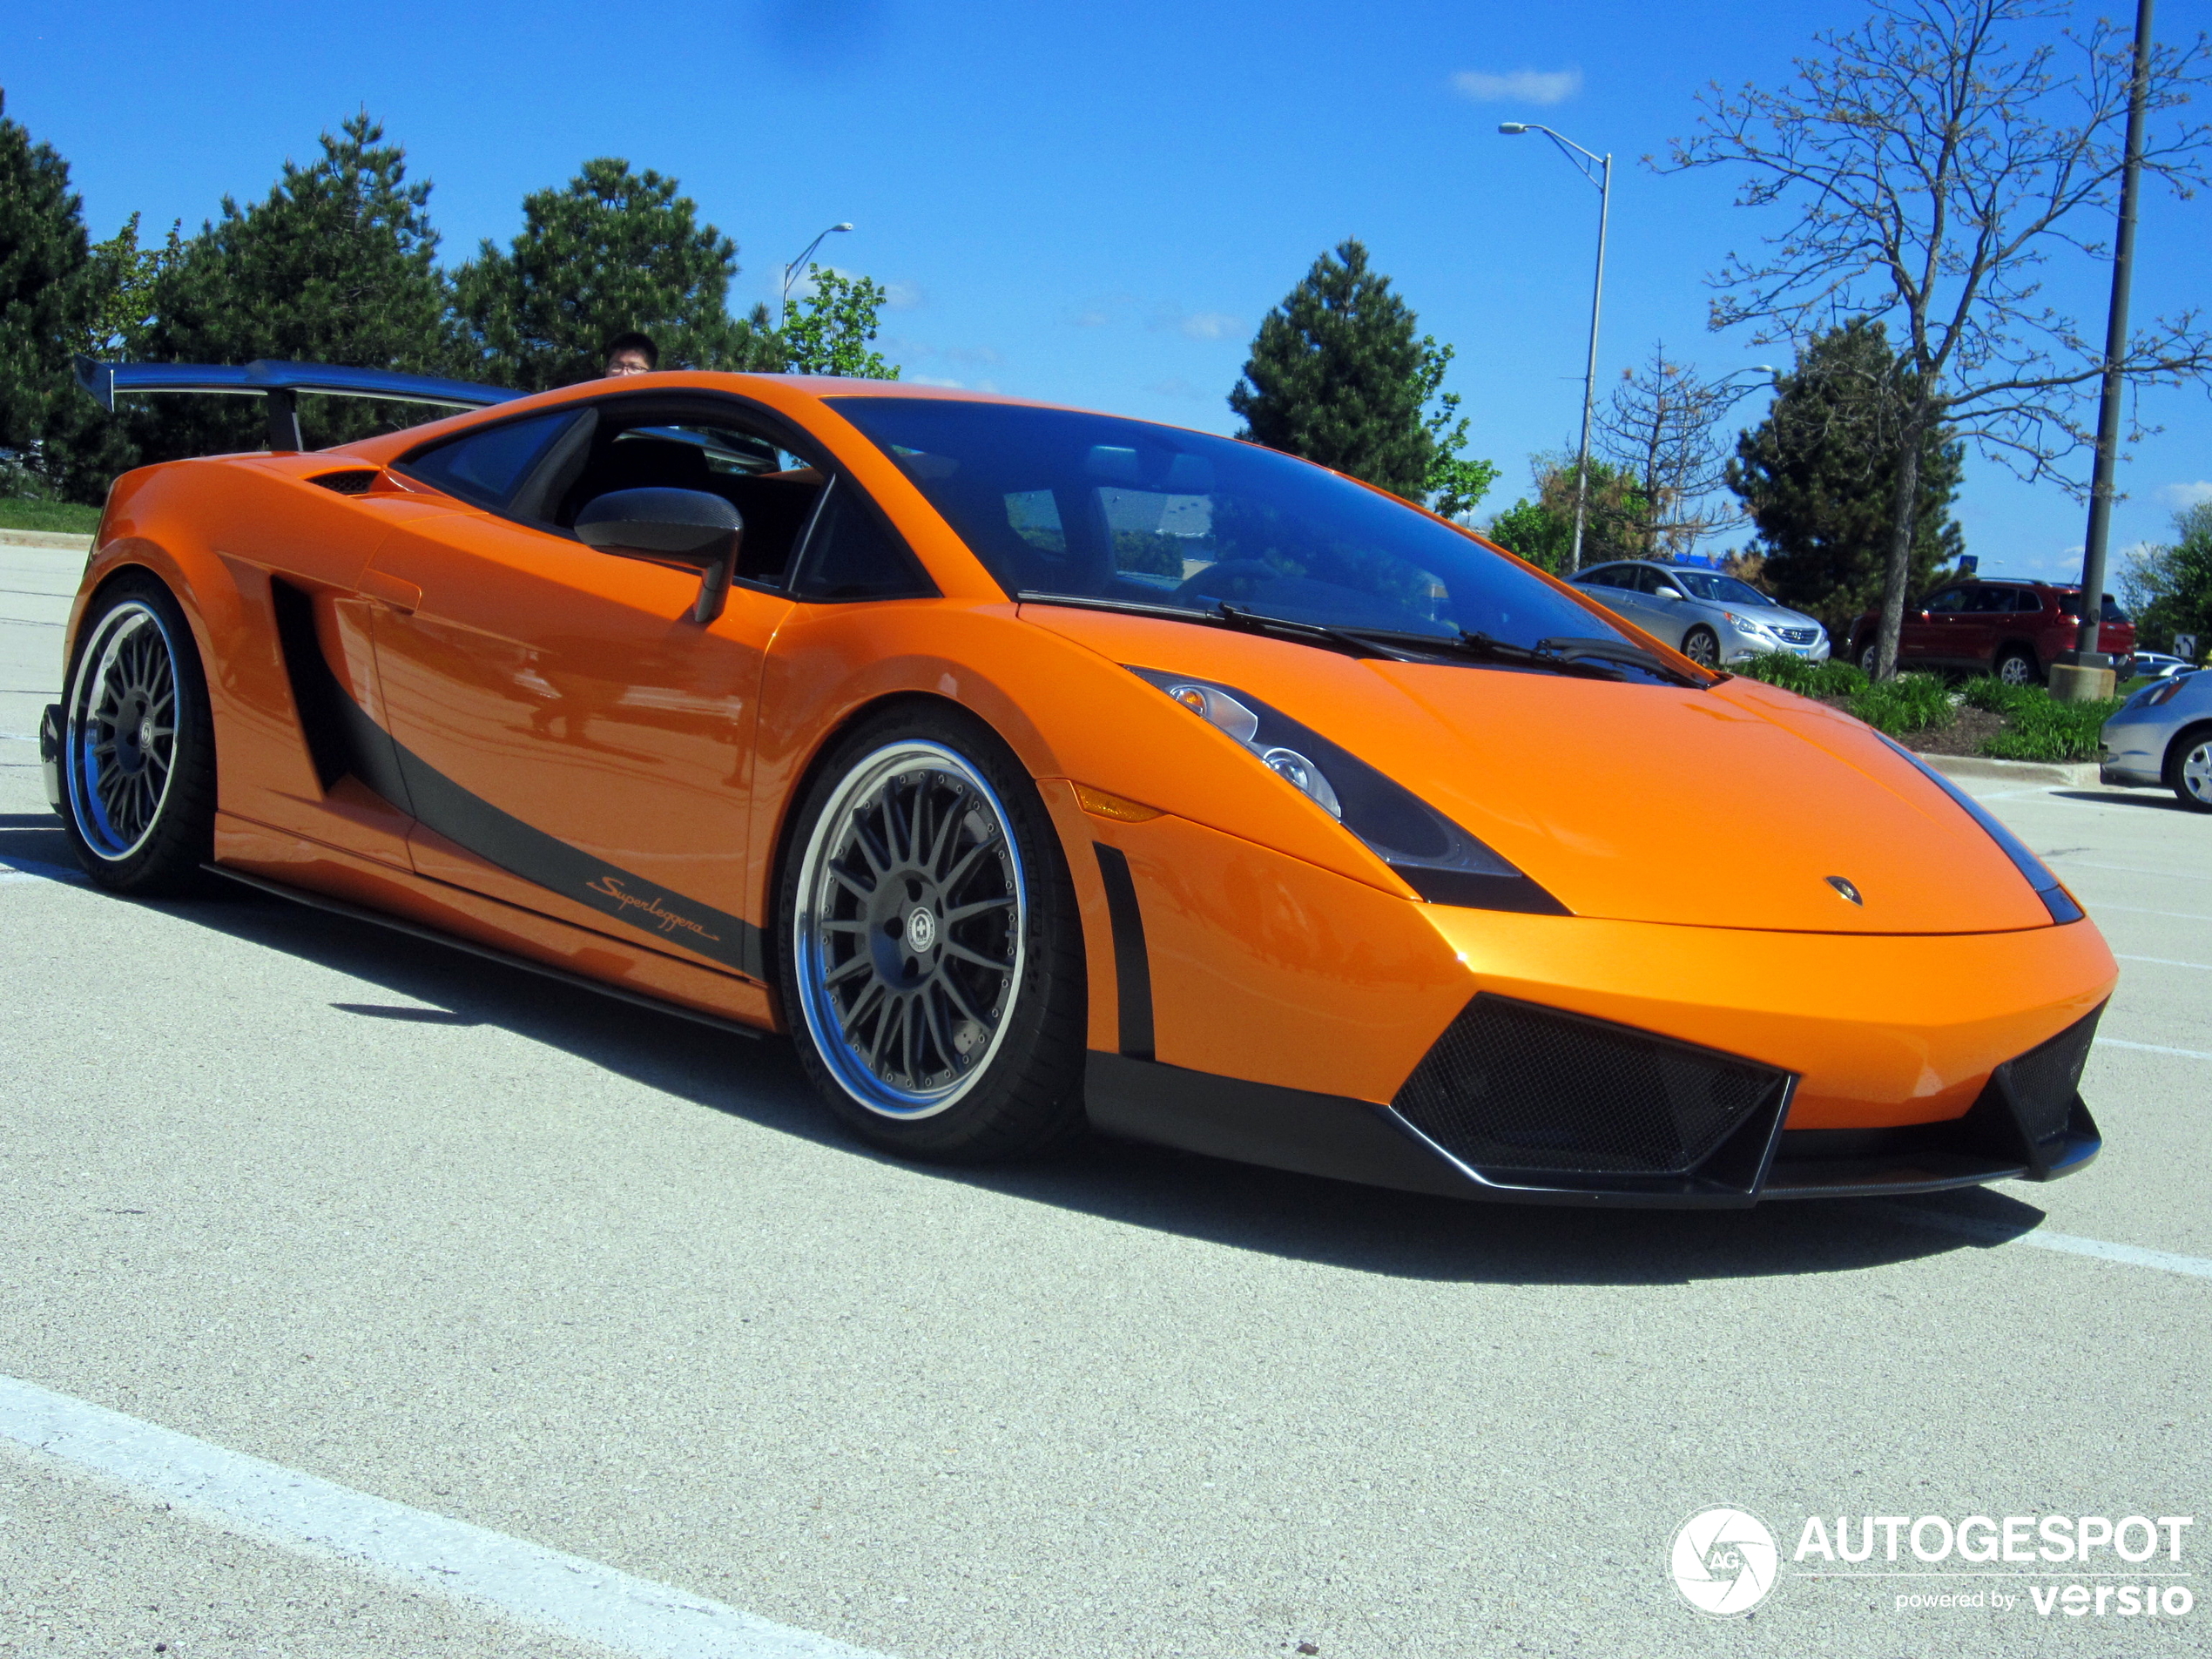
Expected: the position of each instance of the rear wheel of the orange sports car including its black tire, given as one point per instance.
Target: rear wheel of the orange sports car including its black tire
(138, 797)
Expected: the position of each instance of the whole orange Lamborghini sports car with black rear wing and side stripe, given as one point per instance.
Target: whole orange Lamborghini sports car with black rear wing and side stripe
(1043, 771)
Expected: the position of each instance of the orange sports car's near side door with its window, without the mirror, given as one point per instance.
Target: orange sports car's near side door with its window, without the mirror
(572, 740)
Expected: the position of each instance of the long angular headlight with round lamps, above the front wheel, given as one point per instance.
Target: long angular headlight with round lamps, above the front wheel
(1428, 851)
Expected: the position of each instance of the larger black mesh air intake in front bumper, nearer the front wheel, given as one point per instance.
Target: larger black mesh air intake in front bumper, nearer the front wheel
(1521, 1089)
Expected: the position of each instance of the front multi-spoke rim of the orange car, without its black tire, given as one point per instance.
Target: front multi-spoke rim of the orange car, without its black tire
(910, 943)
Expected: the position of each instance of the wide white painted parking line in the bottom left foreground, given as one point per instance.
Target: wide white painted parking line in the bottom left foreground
(397, 1543)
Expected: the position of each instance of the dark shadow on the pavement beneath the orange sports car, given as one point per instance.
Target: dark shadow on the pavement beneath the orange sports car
(1145, 1187)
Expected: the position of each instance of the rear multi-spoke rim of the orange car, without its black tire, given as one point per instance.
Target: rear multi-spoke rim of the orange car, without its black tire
(121, 731)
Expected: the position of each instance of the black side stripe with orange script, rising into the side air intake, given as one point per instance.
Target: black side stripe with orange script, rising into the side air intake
(344, 740)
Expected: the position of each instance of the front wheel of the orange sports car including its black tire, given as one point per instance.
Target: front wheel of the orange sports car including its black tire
(928, 941)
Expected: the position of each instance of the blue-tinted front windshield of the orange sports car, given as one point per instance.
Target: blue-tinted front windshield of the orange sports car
(1081, 508)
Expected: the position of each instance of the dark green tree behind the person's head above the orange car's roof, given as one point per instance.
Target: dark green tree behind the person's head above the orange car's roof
(607, 253)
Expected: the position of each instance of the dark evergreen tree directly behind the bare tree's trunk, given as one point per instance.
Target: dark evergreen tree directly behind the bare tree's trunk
(1819, 479)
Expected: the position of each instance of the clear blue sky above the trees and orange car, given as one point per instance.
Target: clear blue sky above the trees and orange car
(1087, 205)
